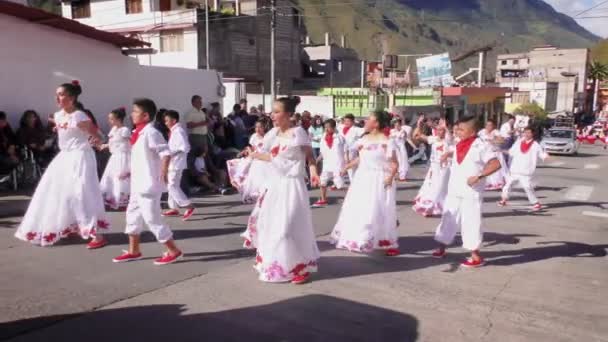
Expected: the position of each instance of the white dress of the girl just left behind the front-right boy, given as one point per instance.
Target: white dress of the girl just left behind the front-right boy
(431, 196)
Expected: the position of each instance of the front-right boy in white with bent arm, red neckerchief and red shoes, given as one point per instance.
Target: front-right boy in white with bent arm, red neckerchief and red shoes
(473, 161)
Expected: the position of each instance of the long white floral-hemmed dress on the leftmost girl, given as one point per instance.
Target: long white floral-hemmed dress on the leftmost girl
(67, 199)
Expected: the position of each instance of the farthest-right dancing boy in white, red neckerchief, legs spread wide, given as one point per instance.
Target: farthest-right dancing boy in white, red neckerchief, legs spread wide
(524, 155)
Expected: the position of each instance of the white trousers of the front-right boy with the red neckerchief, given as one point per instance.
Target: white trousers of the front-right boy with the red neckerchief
(464, 215)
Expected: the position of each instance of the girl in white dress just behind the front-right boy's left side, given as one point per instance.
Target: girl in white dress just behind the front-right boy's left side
(430, 198)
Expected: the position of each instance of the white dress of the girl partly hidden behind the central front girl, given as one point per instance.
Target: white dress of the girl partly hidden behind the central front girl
(249, 176)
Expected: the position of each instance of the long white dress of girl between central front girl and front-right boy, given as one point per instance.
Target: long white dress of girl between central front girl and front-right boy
(368, 219)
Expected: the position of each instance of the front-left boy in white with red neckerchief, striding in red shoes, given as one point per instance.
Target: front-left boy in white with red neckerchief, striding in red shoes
(150, 157)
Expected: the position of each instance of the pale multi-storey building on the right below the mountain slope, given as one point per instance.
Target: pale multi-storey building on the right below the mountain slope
(543, 69)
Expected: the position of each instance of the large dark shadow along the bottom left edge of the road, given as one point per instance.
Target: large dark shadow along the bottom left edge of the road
(307, 318)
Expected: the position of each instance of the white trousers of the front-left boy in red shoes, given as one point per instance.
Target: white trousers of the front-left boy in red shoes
(145, 209)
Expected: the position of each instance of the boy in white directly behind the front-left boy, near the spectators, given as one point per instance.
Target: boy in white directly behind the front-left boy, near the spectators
(179, 148)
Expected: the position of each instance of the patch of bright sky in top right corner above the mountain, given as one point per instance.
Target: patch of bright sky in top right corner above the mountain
(573, 7)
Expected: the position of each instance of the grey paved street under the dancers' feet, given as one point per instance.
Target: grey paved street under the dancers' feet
(546, 280)
